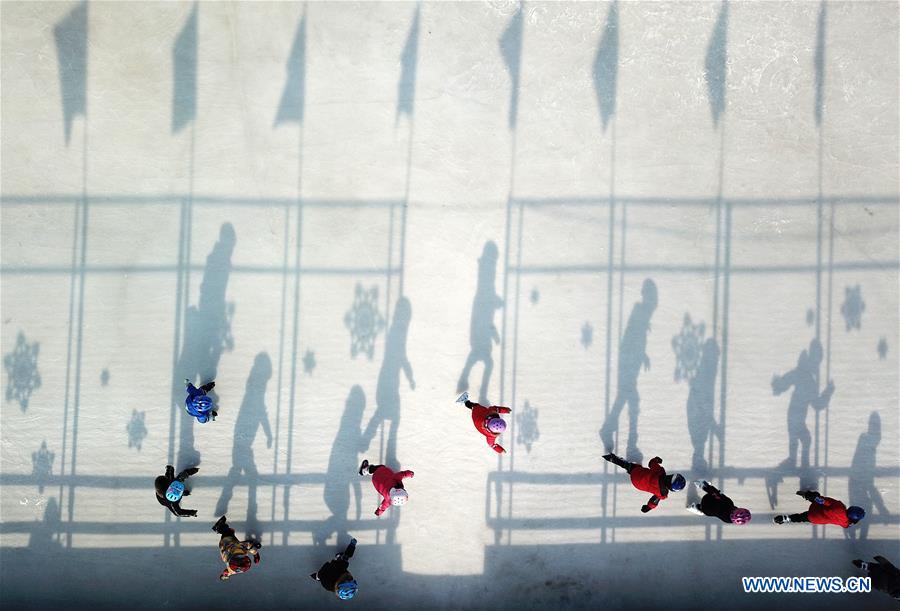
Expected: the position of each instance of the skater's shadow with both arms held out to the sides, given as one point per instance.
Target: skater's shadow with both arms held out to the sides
(805, 380)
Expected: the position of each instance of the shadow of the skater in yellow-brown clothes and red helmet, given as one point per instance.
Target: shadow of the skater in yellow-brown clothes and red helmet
(251, 415)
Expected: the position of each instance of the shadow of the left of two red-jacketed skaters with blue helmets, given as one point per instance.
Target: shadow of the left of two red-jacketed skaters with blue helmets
(632, 355)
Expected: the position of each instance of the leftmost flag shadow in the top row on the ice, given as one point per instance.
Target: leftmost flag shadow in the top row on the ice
(71, 51)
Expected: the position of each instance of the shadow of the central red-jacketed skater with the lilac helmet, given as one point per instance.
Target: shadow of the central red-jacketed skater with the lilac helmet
(482, 333)
